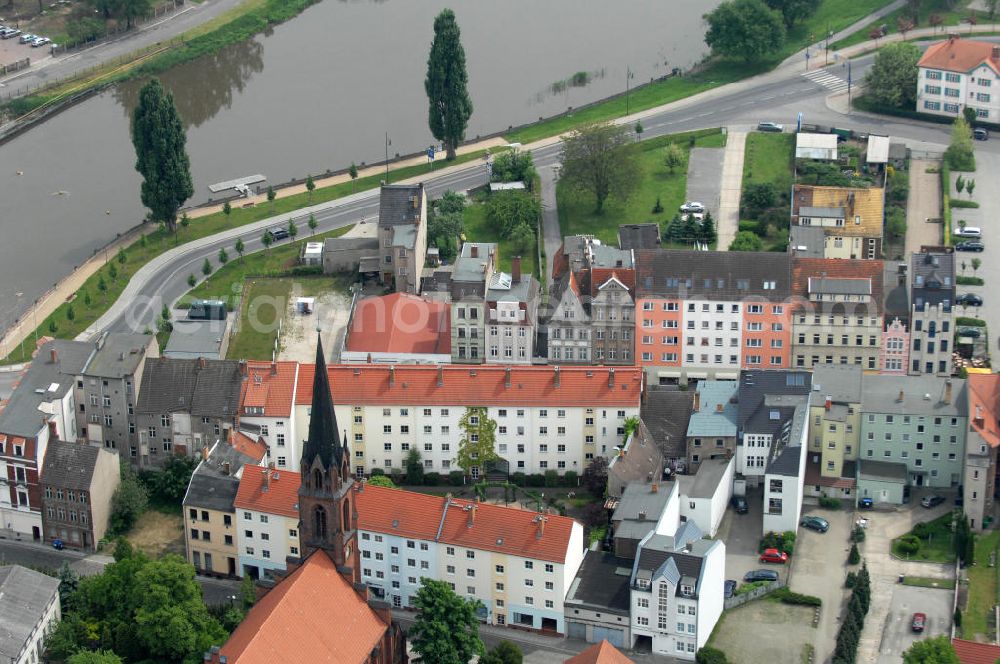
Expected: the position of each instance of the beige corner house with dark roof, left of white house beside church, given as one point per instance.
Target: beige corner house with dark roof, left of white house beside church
(211, 541)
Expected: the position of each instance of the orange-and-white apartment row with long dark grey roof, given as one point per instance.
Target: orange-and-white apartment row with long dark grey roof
(710, 314)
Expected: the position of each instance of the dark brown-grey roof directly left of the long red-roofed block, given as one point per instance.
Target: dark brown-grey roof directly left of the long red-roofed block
(179, 386)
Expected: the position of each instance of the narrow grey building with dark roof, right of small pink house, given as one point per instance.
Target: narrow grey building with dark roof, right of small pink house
(932, 297)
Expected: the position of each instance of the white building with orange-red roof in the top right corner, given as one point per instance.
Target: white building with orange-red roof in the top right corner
(959, 73)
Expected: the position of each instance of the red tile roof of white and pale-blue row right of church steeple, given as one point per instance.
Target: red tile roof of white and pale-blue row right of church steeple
(494, 528)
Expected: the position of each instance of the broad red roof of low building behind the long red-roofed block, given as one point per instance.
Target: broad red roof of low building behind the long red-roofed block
(400, 323)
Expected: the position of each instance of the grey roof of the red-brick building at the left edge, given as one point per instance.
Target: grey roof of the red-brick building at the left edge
(43, 382)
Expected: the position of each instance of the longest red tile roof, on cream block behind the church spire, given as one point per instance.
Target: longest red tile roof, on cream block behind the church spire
(483, 385)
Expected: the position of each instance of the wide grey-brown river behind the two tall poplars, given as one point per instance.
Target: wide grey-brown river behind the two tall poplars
(317, 93)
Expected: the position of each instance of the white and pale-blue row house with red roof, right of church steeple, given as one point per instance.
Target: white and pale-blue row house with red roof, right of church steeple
(518, 564)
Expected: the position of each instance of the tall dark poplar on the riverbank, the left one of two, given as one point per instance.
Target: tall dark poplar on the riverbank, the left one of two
(161, 157)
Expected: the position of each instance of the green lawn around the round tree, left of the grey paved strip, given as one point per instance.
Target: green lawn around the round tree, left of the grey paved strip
(576, 209)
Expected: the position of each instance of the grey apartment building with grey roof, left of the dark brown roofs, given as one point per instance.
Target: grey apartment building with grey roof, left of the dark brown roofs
(109, 385)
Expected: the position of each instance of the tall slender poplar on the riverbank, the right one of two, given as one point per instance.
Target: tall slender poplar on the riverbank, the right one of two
(450, 105)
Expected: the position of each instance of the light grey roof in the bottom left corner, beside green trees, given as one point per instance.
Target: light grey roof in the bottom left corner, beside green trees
(24, 596)
